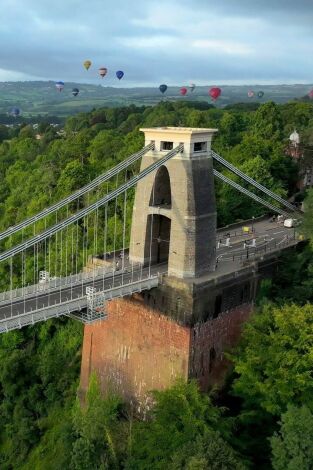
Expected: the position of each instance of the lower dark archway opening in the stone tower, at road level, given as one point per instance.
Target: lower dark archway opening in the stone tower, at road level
(158, 235)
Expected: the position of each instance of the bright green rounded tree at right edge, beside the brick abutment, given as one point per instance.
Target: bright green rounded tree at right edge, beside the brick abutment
(275, 360)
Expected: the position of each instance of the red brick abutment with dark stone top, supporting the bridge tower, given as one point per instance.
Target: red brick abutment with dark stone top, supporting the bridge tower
(180, 329)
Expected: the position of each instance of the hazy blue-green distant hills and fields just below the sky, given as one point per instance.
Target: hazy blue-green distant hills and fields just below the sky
(42, 97)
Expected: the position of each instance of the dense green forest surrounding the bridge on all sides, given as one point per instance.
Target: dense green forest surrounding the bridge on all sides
(263, 417)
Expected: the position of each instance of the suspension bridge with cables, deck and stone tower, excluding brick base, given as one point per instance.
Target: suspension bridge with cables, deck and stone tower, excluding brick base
(123, 232)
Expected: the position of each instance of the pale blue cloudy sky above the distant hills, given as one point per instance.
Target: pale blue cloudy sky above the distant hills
(174, 42)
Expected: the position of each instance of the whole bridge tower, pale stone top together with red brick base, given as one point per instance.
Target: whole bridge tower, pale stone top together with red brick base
(182, 327)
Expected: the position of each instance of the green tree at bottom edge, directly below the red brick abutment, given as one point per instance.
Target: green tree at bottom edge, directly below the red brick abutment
(182, 433)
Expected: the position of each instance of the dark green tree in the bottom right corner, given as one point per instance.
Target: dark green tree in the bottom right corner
(292, 446)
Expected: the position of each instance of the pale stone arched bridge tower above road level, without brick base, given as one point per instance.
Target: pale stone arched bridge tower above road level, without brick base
(174, 215)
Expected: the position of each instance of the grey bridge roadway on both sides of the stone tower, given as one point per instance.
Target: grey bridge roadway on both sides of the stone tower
(66, 299)
